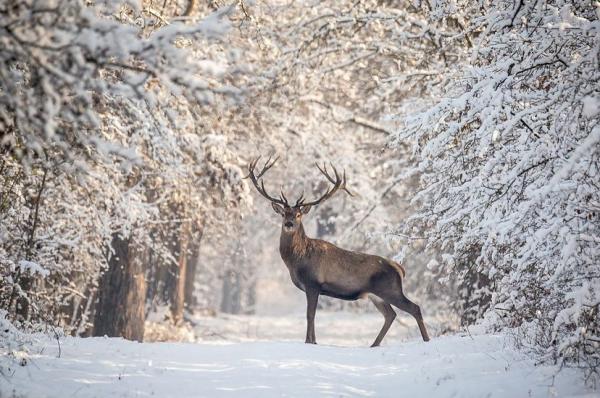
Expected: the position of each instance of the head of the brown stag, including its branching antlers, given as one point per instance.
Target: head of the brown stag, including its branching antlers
(292, 215)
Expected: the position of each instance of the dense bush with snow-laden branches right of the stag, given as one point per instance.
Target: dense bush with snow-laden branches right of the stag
(509, 165)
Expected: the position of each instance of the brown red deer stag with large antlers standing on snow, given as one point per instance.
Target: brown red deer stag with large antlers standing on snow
(318, 267)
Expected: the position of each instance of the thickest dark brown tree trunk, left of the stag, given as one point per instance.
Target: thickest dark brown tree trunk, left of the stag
(121, 294)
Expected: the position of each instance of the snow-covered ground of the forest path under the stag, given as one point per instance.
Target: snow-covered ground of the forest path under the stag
(269, 360)
